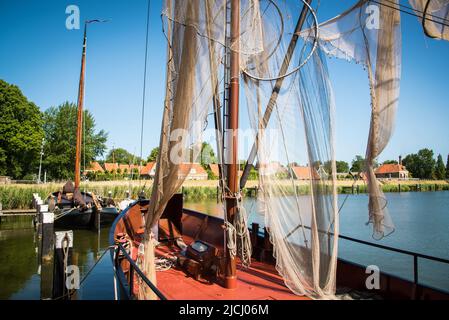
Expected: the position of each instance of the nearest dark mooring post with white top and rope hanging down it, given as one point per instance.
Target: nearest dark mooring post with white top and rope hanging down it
(62, 259)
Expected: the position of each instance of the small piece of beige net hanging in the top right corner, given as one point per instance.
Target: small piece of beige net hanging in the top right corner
(434, 17)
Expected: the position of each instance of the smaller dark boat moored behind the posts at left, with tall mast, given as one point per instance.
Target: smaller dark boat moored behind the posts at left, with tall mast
(75, 208)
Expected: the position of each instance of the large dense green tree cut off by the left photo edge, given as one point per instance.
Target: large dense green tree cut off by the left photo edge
(21, 133)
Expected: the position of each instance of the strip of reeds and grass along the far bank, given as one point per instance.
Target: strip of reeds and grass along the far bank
(19, 196)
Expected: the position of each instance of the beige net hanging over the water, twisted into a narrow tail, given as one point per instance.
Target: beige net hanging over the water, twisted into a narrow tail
(369, 34)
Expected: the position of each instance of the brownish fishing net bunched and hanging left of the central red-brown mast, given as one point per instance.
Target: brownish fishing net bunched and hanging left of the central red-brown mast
(195, 32)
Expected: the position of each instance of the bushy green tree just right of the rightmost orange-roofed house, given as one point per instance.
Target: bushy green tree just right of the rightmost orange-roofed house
(421, 165)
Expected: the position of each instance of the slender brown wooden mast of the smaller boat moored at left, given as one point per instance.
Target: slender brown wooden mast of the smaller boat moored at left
(79, 127)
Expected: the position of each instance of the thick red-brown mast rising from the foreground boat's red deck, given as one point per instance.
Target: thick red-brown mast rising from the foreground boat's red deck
(233, 124)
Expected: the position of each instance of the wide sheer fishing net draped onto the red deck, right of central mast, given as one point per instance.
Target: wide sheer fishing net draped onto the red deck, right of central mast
(300, 215)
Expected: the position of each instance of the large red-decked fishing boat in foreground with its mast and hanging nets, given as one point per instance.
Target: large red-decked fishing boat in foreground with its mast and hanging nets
(165, 251)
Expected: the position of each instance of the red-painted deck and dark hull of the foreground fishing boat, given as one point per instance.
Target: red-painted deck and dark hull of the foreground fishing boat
(190, 253)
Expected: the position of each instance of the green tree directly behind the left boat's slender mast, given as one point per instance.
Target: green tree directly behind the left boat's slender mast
(60, 132)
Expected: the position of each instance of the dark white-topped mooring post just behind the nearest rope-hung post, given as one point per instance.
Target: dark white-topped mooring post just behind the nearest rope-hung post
(46, 255)
